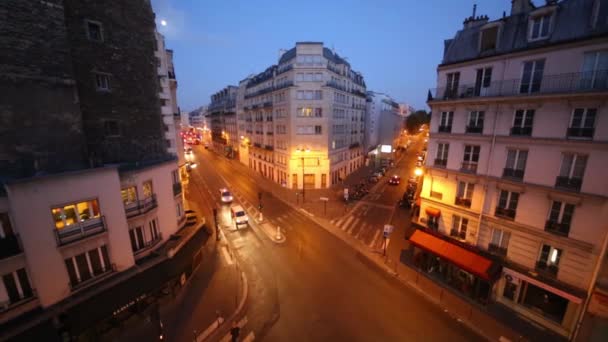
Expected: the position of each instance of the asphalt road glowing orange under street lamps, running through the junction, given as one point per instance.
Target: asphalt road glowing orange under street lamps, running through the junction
(315, 287)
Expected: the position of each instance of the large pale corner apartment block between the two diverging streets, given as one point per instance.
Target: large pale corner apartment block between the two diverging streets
(302, 120)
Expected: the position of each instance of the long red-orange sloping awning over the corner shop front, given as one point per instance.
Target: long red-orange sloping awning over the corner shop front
(459, 256)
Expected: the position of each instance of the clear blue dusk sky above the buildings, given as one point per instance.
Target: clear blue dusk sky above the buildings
(395, 44)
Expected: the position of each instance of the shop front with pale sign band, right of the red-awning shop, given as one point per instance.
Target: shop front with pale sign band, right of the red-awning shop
(541, 302)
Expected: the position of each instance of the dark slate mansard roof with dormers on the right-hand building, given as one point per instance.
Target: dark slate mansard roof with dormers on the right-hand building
(571, 22)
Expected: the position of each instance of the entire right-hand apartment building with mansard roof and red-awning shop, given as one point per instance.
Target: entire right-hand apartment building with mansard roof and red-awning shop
(515, 188)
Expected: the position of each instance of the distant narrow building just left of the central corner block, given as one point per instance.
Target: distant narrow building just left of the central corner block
(221, 115)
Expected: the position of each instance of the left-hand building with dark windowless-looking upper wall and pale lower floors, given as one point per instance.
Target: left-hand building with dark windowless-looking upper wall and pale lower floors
(88, 185)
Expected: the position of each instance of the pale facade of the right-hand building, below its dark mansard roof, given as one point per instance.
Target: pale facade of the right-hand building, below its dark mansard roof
(516, 163)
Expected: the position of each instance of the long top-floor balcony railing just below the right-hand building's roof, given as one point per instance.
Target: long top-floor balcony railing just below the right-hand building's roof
(549, 84)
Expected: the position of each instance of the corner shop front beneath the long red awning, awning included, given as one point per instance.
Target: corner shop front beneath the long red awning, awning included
(463, 270)
